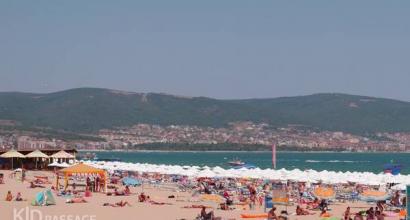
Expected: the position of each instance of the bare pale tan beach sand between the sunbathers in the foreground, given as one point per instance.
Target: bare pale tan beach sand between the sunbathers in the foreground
(94, 208)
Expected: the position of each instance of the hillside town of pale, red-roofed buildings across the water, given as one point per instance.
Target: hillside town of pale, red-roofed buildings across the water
(241, 133)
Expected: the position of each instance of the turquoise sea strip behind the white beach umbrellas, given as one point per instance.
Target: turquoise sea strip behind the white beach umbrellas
(372, 162)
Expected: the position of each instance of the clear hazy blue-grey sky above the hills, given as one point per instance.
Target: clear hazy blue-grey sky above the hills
(221, 49)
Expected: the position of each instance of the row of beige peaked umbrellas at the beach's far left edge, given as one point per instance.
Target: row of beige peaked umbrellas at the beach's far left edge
(35, 154)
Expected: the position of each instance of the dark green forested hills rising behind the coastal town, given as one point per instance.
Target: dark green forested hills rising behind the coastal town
(91, 109)
